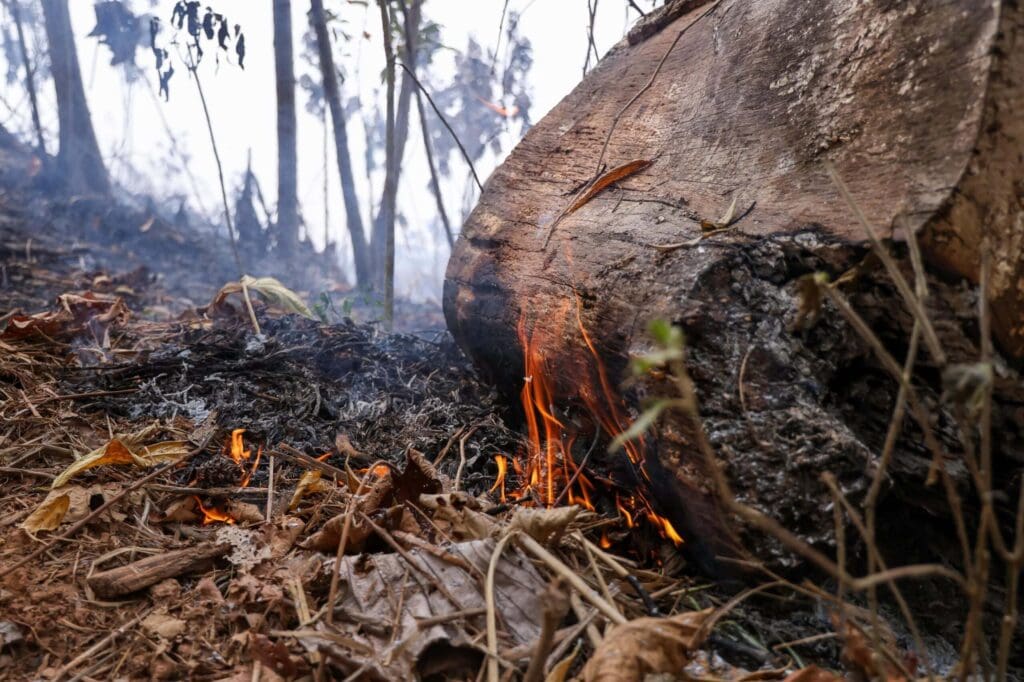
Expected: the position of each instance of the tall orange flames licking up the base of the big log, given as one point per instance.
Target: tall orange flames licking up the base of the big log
(546, 470)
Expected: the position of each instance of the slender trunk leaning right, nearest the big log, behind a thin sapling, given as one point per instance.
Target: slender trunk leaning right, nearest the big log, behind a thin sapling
(385, 224)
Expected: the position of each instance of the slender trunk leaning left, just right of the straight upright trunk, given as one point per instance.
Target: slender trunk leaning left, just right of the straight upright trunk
(361, 252)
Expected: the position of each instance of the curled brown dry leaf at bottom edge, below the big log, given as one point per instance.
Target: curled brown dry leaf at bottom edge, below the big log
(647, 647)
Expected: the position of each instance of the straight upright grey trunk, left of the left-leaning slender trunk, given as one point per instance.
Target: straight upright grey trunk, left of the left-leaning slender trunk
(288, 201)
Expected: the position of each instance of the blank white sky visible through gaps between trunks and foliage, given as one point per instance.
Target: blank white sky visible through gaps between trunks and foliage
(243, 104)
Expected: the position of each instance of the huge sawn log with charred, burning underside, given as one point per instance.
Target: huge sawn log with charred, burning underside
(741, 104)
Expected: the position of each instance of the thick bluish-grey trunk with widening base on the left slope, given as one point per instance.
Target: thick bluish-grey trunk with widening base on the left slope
(79, 162)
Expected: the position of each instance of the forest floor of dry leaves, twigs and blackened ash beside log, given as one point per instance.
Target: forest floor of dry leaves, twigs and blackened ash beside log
(187, 499)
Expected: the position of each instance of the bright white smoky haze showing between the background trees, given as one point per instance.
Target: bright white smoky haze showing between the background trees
(137, 144)
